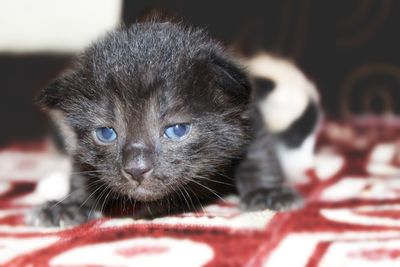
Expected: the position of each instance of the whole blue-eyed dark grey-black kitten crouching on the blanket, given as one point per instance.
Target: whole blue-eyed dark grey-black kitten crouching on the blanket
(157, 118)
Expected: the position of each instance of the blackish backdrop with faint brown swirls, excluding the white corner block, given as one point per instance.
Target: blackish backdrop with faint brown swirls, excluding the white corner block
(348, 47)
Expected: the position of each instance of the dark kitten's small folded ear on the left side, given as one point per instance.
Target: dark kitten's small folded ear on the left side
(51, 96)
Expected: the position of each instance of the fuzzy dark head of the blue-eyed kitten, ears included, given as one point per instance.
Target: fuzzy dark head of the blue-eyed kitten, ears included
(150, 108)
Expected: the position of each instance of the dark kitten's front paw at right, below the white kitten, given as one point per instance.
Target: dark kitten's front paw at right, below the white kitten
(279, 199)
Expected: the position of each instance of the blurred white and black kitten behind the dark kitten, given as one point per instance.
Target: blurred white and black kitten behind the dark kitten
(290, 107)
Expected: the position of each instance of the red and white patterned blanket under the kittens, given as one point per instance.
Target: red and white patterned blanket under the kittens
(350, 219)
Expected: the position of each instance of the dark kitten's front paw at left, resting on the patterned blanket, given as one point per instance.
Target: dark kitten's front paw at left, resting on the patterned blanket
(54, 214)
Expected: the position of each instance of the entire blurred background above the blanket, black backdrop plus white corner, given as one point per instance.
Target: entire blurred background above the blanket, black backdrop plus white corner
(348, 47)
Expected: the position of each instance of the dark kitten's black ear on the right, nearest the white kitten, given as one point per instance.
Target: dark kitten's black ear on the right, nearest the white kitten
(232, 79)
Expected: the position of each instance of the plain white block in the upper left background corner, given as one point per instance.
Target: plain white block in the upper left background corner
(55, 26)
